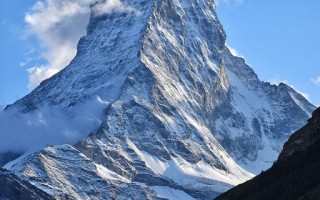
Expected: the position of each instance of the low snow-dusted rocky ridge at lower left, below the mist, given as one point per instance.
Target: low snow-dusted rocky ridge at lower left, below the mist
(64, 171)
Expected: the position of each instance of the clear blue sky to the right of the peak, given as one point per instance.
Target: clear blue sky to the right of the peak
(279, 39)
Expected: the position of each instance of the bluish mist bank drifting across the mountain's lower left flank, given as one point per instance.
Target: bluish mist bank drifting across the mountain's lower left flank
(47, 126)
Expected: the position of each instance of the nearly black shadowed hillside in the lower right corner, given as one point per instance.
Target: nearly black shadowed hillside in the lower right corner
(295, 175)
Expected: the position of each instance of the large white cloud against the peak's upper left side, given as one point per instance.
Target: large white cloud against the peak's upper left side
(58, 25)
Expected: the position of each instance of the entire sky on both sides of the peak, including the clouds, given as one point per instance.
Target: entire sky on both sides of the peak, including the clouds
(279, 39)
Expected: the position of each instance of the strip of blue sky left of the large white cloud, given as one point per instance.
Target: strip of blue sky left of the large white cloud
(13, 50)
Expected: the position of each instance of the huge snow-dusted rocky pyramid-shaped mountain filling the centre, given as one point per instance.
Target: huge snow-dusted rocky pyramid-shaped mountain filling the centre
(178, 108)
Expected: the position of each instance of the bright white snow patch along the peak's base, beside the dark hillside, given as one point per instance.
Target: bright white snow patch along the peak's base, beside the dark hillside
(193, 175)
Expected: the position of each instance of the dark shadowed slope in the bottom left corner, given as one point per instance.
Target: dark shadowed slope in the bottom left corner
(12, 187)
